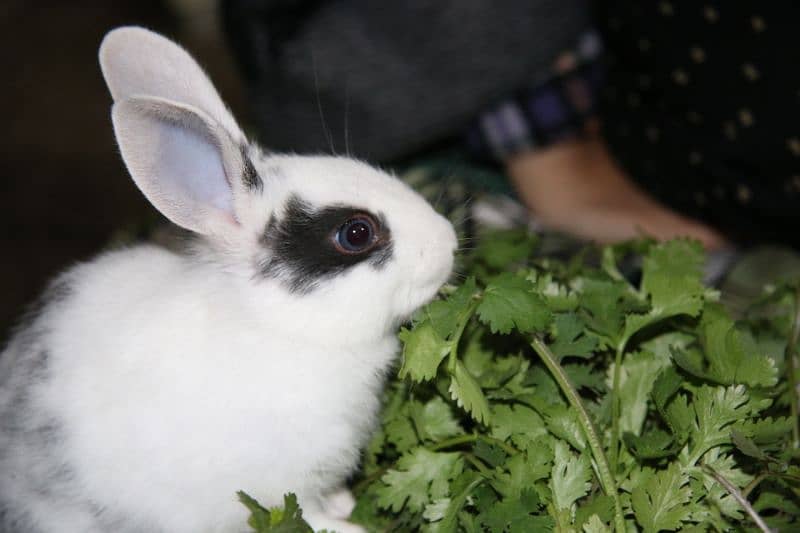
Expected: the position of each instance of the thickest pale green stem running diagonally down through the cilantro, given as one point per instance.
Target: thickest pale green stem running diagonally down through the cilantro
(606, 477)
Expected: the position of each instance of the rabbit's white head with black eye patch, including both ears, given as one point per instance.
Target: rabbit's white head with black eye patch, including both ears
(328, 242)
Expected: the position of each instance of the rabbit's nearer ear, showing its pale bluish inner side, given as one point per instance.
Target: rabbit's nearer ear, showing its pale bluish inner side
(177, 157)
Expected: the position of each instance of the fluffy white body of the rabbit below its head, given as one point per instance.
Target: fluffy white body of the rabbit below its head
(161, 437)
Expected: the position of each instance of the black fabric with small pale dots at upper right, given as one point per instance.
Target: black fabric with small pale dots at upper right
(702, 108)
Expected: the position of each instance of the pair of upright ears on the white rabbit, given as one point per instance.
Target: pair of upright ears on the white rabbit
(181, 145)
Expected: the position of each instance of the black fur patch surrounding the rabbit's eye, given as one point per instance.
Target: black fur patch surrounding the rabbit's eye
(302, 249)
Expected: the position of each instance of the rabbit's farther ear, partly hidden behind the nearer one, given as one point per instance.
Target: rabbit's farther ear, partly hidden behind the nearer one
(138, 62)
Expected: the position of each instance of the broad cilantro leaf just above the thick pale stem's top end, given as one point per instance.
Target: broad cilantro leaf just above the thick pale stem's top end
(509, 302)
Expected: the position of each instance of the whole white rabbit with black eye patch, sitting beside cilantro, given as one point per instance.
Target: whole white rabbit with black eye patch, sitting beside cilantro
(150, 386)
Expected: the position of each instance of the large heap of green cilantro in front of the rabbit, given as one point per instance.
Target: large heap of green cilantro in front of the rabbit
(553, 395)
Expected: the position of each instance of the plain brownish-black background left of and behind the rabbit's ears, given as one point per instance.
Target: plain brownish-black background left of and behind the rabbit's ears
(65, 192)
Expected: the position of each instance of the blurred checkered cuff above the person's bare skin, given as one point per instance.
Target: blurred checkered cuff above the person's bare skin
(547, 113)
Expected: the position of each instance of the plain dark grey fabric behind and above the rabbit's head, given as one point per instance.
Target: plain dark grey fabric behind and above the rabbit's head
(389, 78)
